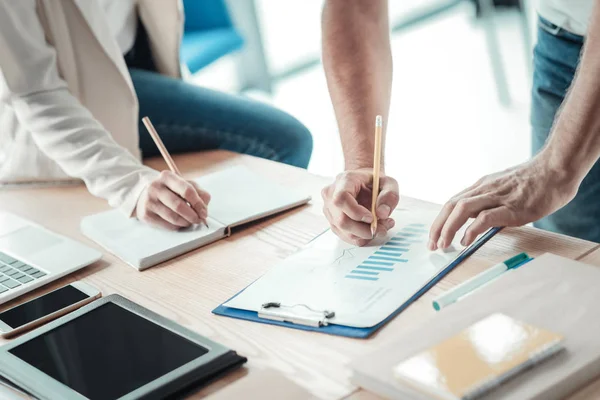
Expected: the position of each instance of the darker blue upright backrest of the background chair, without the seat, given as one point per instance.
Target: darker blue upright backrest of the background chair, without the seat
(201, 15)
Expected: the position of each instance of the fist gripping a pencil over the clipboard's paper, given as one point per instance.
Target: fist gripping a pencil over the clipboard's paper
(348, 205)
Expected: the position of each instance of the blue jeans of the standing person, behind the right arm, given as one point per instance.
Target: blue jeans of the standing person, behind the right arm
(556, 57)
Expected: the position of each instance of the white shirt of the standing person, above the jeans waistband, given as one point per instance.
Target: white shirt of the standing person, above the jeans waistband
(572, 15)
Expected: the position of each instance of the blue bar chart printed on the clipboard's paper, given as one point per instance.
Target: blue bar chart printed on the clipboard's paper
(390, 255)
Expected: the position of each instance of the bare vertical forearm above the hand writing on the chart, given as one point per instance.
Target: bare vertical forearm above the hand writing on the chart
(358, 66)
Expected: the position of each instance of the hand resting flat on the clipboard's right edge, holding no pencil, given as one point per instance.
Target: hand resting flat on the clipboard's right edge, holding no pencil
(514, 197)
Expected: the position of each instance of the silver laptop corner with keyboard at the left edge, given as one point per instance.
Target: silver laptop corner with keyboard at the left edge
(32, 256)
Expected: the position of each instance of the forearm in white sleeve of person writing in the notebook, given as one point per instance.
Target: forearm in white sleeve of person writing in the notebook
(68, 134)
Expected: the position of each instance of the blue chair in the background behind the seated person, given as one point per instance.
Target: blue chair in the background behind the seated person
(208, 33)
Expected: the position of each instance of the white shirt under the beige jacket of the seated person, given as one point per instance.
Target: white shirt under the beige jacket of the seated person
(122, 21)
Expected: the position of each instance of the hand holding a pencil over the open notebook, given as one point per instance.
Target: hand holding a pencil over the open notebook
(172, 203)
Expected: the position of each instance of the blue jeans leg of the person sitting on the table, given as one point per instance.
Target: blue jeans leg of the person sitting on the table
(191, 118)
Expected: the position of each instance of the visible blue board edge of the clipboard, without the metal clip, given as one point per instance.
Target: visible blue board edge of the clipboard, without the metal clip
(360, 333)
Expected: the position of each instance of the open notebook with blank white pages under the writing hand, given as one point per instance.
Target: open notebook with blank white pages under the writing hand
(239, 196)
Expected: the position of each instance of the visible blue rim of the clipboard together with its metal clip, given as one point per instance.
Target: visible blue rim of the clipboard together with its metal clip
(319, 323)
